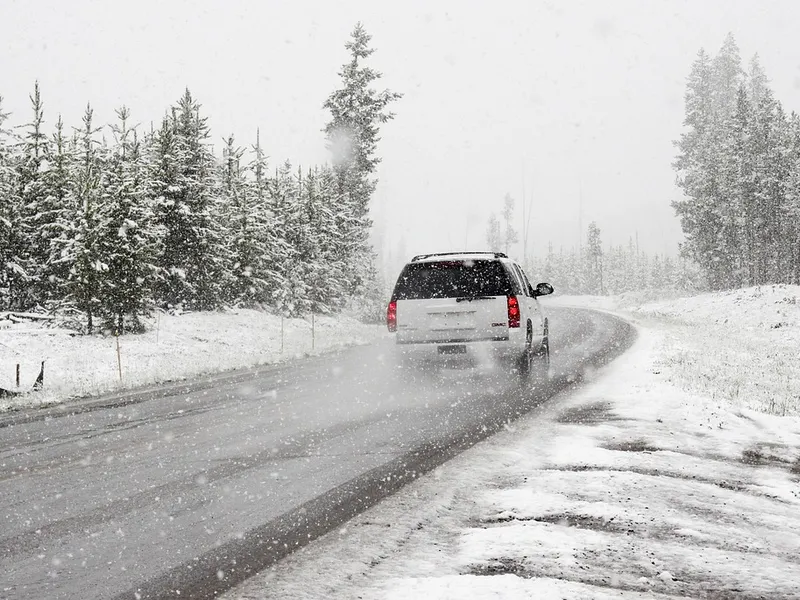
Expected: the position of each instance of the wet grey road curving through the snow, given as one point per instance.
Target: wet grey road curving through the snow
(196, 491)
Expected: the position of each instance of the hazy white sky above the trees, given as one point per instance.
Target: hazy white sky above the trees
(575, 98)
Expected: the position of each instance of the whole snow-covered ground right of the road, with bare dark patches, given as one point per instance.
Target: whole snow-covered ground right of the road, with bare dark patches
(656, 480)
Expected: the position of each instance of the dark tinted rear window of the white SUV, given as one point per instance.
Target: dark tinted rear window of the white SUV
(452, 279)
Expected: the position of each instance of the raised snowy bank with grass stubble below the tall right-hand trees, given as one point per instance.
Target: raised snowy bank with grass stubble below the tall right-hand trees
(738, 346)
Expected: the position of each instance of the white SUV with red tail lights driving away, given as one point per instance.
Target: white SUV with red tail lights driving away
(476, 304)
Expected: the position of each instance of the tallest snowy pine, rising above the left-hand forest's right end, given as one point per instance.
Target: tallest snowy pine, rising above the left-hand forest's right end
(357, 111)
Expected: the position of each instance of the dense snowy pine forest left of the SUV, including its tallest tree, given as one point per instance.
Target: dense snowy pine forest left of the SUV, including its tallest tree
(111, 221)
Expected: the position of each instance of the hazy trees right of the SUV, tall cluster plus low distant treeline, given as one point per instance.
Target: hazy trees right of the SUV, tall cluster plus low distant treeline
(738, 166)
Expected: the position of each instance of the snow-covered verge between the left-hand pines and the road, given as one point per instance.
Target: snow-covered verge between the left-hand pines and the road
(174, 347)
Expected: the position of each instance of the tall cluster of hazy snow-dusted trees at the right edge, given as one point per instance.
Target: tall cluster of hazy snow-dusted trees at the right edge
(739, 169)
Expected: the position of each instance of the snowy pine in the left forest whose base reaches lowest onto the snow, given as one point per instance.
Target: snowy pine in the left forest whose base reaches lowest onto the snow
(127, 242)
